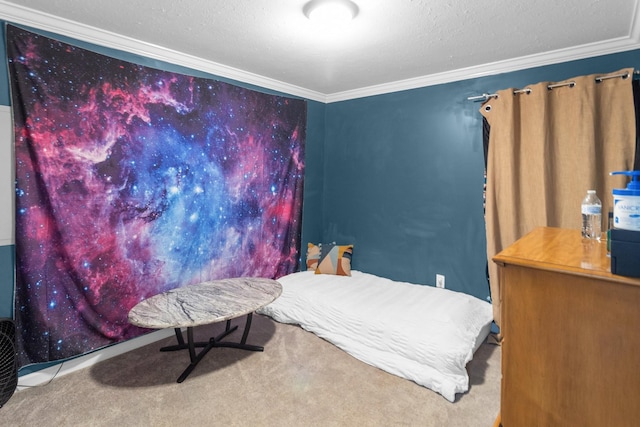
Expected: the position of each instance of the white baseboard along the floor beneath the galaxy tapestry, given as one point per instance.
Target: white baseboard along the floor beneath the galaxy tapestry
(48, 374)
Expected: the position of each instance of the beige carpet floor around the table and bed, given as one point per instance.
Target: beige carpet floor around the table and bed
(299, 380)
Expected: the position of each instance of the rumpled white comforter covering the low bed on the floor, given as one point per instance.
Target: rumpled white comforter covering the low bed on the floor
(418, 332)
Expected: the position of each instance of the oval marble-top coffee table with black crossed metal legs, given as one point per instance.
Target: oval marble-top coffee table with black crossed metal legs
(204, 303)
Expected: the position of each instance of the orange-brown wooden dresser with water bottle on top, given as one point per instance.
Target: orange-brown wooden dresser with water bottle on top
(571, 334)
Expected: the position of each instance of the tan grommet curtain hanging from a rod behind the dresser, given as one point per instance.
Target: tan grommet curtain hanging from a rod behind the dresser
(547, 147)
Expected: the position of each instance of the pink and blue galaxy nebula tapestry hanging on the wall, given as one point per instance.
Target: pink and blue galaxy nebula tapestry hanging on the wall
(131, 181)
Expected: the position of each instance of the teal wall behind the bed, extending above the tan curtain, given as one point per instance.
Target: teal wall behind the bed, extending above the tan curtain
(403, 176)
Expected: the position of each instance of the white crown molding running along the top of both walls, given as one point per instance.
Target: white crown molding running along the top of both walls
(25, 16)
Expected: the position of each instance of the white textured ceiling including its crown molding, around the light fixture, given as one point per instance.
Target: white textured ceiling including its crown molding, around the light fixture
(391, 45)
